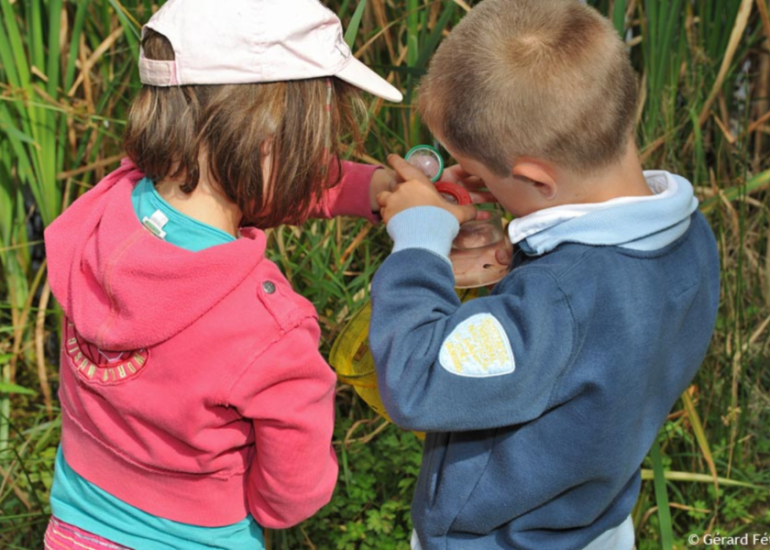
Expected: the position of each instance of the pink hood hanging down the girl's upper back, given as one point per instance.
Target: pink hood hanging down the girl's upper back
(123, 296)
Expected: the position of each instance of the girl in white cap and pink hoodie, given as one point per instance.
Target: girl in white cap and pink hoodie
(196, 409)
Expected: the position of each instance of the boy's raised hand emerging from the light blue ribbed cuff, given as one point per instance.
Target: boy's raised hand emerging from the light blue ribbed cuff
(417, 190)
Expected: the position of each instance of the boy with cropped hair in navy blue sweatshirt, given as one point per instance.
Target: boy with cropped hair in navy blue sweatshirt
(541, 400)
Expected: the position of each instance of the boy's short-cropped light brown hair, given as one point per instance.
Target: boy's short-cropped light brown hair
(548, 79)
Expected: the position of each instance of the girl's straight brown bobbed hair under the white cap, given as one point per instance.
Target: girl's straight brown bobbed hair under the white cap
(236, 125)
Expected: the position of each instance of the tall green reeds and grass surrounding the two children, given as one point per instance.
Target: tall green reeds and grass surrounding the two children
(67, 73)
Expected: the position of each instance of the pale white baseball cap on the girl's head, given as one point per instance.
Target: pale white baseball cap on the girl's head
(247, 41)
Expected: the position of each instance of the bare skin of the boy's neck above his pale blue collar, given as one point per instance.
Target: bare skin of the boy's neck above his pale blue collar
(622, 179)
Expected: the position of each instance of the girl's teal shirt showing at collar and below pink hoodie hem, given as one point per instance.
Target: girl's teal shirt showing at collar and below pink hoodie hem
(76, 501)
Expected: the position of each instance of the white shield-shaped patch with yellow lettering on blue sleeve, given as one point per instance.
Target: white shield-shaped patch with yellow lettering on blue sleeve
(478, 347)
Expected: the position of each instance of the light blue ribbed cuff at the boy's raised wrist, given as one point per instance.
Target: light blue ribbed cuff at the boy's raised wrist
(427, 227)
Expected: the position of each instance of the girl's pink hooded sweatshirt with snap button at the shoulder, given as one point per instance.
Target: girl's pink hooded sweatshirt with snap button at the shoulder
(191, 382)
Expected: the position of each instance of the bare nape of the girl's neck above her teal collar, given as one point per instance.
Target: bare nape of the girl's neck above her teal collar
(207, 203)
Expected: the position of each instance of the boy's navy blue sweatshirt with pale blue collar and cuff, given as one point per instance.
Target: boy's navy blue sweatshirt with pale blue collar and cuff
(542, 399)
